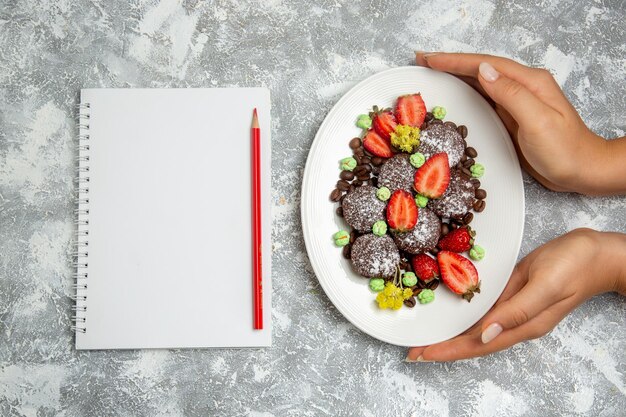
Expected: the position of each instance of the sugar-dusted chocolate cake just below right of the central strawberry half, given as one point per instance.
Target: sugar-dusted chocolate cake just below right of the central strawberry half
(423, 237)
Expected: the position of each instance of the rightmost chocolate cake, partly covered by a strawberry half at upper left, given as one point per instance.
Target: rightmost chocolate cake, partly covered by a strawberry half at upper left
(457, 200)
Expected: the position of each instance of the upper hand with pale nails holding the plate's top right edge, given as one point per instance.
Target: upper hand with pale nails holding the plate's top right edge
(552, 142)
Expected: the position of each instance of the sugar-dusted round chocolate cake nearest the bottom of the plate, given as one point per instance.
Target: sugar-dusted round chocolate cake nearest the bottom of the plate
(375, 257)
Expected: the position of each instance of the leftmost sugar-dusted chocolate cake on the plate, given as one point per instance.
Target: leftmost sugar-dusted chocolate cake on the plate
(361, 208)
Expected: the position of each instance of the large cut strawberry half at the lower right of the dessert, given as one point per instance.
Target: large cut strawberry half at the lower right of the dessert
(459, 274)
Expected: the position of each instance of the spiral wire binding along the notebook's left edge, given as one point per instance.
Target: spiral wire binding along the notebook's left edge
(81, 252)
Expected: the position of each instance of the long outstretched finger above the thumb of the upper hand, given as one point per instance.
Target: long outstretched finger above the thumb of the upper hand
(539, 81)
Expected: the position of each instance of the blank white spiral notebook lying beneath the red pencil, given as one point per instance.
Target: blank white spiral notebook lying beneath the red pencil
(164, 235)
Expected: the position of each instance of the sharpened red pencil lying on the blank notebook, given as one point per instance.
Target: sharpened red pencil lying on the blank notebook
(257, 272)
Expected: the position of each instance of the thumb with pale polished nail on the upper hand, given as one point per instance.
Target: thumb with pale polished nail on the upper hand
(521, 104)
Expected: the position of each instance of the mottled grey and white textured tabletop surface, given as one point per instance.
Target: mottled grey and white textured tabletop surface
(308, 55)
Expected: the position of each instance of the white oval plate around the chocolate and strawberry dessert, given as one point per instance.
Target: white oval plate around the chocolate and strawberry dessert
(499, 228)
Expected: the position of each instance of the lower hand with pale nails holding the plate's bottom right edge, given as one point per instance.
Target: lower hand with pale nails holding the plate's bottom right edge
(544, 287)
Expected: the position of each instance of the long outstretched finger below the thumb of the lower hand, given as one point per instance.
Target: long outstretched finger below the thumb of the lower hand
(470, 346)
